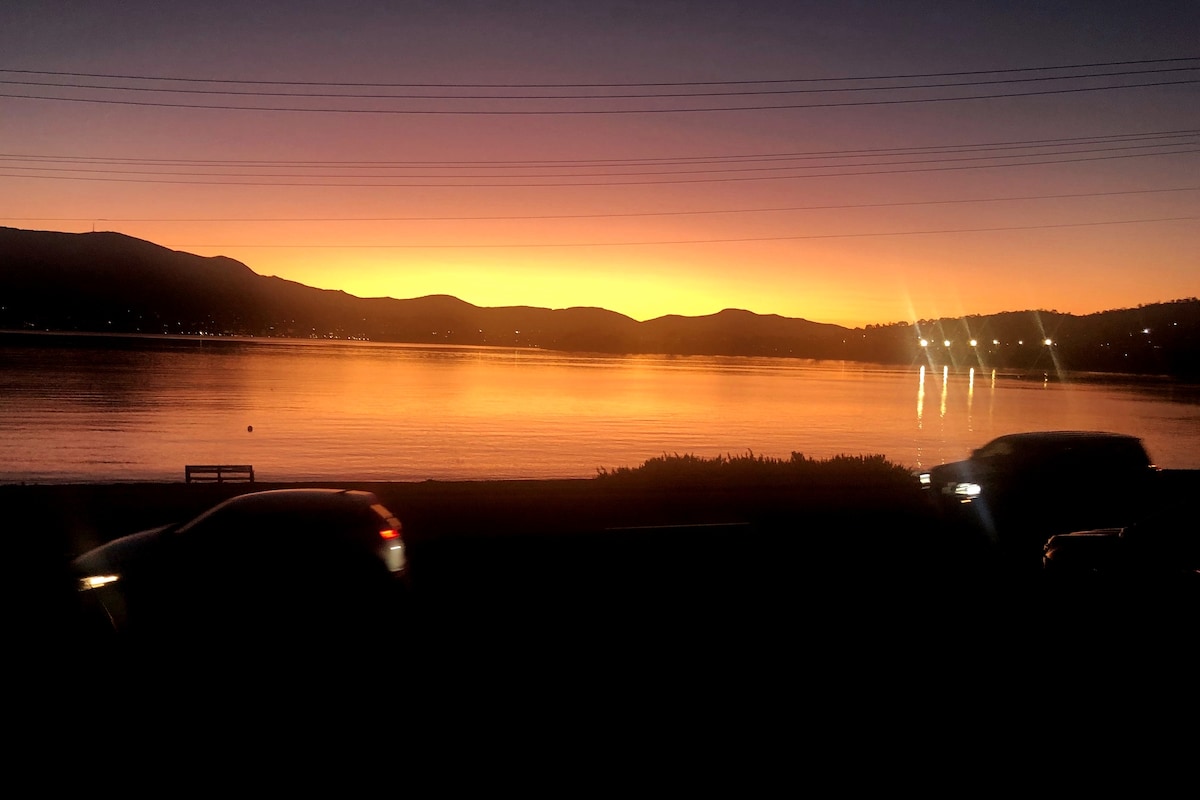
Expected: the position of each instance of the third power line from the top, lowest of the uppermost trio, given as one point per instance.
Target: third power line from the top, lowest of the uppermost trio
(445, 112)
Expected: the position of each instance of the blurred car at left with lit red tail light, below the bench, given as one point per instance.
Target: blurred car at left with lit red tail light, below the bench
(263, 563)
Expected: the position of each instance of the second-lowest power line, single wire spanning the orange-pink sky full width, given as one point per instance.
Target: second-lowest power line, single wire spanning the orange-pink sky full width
(629, 214)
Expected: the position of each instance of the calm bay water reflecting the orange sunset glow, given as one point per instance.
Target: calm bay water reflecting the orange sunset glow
(141, 410)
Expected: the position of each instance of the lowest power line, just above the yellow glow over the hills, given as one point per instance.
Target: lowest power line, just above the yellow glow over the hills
(713, 242)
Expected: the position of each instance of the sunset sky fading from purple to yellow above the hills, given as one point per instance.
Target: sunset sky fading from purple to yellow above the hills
(843, 163)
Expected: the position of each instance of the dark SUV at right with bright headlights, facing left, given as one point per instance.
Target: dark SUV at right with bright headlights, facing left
(1022, 489)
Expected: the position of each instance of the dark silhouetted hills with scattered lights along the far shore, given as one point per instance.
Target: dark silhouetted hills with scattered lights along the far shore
(110, 282)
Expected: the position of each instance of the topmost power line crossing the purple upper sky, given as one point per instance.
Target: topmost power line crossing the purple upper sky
(607, 86)
